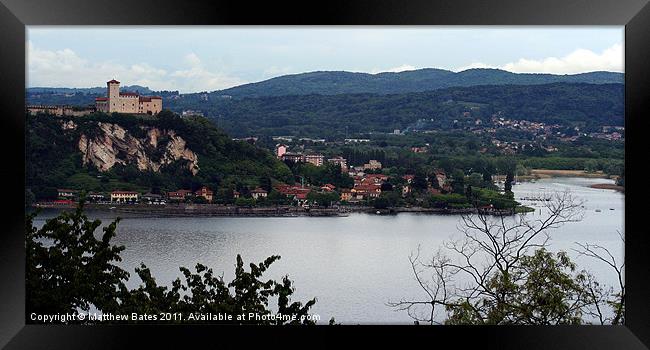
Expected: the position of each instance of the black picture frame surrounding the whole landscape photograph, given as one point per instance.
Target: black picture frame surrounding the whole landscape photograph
(16, 14)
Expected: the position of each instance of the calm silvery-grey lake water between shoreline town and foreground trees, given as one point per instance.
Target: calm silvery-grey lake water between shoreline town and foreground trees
(353, 265)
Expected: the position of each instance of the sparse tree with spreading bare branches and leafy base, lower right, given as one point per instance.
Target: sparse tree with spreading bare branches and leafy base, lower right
(500, 272)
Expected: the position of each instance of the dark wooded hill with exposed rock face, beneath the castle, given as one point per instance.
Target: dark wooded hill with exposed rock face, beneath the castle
(102, 153)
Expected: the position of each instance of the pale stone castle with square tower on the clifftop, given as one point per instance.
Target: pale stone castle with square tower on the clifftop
(127, 102)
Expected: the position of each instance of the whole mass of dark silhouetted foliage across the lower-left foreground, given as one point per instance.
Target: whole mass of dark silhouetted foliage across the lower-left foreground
(75, 271)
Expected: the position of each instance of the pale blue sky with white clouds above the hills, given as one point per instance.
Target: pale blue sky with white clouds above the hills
(194, 59)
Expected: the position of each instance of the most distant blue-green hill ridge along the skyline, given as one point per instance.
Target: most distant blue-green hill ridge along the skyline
(333, 82)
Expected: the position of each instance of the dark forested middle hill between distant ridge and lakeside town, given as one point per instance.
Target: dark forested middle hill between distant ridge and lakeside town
(566, 104)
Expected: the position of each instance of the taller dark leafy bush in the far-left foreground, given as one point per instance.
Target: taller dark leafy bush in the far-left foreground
(77, 270)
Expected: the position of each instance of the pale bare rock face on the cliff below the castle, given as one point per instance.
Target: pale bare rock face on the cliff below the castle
(114, 145)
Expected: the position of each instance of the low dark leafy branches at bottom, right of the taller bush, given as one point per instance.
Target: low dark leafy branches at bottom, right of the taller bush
(203, 292)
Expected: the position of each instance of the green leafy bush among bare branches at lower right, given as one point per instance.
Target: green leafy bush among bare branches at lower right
(544, 290)
